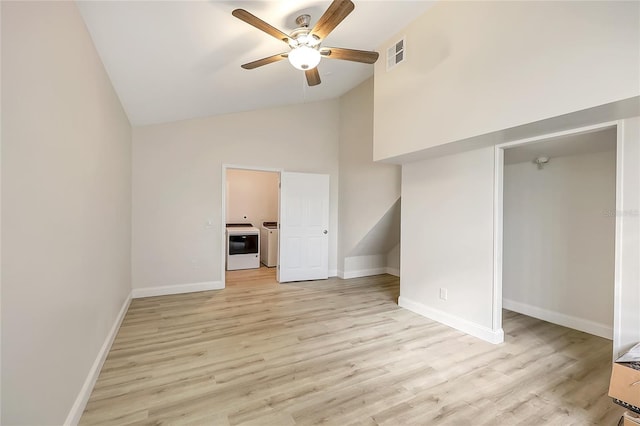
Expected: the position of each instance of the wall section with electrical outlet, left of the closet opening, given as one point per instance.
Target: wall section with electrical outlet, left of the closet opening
(447, 240)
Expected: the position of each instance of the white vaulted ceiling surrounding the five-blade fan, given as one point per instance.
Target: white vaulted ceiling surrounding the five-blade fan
(174, 60)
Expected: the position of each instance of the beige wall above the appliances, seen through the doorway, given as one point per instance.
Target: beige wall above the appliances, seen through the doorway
(252, 196)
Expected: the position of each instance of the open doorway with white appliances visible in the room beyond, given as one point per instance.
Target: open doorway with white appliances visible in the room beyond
(250, 216)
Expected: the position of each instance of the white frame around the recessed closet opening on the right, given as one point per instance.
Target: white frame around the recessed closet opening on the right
(499, 219)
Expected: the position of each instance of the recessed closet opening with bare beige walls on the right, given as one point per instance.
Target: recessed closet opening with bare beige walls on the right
(559, 234)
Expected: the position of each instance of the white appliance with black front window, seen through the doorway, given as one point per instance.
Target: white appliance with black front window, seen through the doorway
(243, 246)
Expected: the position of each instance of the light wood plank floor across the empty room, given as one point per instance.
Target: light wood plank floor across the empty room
(339, 352)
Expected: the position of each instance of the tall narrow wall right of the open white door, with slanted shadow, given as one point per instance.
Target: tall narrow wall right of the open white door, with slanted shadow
(367, 189)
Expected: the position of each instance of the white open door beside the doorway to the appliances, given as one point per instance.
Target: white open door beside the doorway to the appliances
(304, 227)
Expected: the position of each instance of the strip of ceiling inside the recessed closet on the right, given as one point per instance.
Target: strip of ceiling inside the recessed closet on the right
(585, 143)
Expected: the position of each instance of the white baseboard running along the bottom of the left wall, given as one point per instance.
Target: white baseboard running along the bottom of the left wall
(85, 392)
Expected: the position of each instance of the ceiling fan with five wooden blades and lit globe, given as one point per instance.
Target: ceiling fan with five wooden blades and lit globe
(305, 43)
